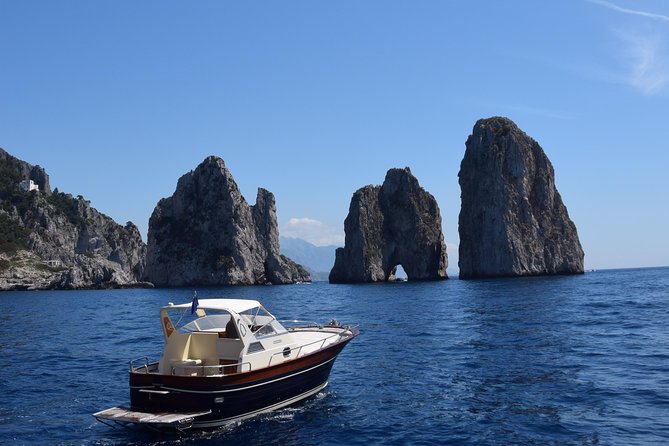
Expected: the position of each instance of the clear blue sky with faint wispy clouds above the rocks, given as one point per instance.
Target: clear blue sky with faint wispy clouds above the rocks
(314, 99)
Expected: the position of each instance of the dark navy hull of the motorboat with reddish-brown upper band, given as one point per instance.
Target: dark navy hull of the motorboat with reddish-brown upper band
(235, 397)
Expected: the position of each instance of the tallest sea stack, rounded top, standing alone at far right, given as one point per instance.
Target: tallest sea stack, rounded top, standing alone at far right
(512, 221)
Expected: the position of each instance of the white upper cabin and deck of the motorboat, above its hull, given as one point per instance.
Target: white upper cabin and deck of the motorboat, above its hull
(225, 336)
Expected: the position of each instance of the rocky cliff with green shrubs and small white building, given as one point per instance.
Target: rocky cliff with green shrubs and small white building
(52, 240)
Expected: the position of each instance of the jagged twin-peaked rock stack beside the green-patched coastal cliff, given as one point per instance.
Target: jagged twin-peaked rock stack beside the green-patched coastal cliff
(206, 234)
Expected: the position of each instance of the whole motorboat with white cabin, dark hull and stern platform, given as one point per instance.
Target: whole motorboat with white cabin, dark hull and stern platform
(226, 360)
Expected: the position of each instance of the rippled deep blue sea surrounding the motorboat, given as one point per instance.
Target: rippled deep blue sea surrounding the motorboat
(579, 360)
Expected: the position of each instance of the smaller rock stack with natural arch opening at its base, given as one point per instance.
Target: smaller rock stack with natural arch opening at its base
(397, 223)
